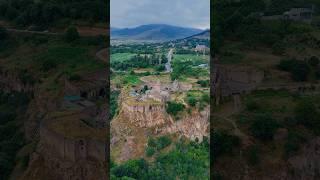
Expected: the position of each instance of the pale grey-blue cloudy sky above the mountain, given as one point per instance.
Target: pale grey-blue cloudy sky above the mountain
(186, 13)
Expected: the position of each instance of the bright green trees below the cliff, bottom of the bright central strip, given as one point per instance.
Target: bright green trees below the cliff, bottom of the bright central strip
(189, 160)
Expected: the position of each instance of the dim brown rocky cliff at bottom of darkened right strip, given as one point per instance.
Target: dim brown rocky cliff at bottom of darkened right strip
(303, 166)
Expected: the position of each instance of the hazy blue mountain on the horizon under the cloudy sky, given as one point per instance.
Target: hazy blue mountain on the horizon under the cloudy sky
(154, 32)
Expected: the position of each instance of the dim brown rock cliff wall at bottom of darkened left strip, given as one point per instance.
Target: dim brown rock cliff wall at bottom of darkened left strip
(67, 158)
